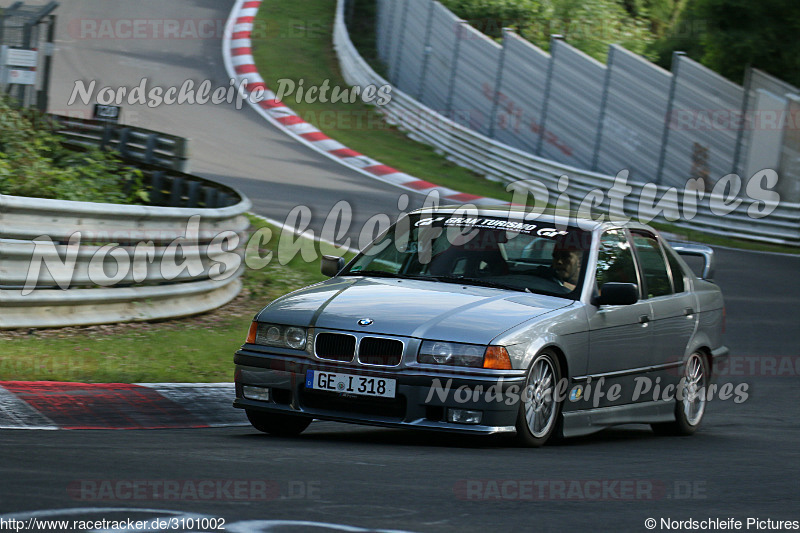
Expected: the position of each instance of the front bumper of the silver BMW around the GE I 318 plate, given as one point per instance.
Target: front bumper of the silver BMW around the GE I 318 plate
(422, 398)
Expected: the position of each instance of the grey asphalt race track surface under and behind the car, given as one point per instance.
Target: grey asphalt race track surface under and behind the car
(743, 463)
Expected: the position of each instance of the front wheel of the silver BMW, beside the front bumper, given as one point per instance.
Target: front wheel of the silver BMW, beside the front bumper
(539, 418)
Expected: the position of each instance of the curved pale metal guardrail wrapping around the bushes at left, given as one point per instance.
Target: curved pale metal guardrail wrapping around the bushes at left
(65, 263)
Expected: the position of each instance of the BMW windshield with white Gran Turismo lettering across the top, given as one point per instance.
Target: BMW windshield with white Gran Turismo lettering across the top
(483, 251)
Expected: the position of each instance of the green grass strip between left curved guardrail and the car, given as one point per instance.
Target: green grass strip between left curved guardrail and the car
(197, 349)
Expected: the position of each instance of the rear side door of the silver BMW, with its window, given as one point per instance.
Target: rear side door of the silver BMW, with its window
(673, 307)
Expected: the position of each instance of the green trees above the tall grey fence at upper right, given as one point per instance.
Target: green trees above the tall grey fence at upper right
(724, 35)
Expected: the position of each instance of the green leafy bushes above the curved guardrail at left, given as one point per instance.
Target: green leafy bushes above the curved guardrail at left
(34, 163)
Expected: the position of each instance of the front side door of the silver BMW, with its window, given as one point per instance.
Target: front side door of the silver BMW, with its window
(620, 336)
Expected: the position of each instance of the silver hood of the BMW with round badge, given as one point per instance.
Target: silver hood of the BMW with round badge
(410, 308)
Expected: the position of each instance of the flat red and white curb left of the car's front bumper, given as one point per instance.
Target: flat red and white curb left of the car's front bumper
(62, 405)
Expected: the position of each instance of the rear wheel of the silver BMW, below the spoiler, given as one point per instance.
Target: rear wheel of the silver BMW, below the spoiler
(690, 401)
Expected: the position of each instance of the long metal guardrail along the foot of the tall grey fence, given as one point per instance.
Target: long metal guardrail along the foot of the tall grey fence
(501, 162)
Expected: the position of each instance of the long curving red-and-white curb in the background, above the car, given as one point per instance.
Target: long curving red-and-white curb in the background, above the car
(238, 56)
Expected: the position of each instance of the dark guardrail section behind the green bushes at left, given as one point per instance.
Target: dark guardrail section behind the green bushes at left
(134, 144)
